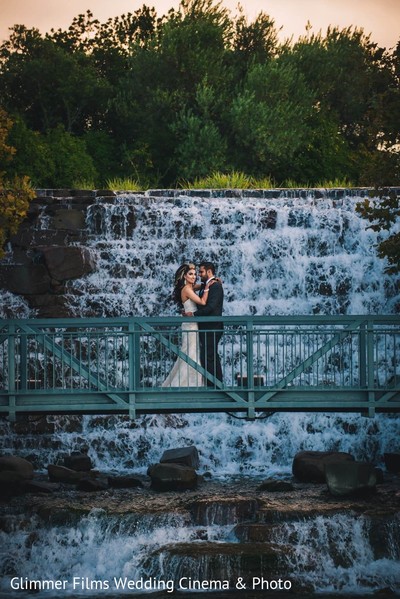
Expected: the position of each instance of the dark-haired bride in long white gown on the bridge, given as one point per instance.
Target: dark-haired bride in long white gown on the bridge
(182, 374)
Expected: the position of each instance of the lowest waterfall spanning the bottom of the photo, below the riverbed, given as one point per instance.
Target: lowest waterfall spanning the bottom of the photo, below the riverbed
(99, 553)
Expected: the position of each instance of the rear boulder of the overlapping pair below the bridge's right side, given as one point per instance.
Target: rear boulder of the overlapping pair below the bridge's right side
(309, 466)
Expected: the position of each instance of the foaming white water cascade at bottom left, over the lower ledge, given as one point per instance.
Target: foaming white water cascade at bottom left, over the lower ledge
(100, 547)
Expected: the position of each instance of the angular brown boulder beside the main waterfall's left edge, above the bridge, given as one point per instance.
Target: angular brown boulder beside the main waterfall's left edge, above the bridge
(65, 263)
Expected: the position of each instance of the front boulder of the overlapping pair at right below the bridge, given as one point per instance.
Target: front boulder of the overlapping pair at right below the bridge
(350, 478)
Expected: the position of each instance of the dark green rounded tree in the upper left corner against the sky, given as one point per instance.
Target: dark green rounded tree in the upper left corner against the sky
(49, 85)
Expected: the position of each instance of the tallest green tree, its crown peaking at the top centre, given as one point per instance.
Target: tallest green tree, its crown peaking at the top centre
(156, 107)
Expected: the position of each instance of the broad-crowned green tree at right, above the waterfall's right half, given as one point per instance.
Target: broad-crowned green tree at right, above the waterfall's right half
(348, 75)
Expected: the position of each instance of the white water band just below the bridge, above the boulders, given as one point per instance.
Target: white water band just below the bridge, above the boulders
(227, 446)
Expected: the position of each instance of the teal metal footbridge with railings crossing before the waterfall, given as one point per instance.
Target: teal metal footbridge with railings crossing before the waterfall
(270, 364)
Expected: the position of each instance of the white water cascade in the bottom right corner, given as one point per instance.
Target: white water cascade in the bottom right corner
(335, 554)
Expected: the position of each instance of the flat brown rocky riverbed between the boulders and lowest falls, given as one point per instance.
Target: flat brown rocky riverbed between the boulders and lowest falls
(302, 500)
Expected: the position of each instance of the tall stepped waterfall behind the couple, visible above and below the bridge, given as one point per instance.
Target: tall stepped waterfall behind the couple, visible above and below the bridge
(291, 254)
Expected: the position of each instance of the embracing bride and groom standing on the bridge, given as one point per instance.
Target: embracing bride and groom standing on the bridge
(199, 341)
